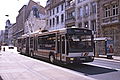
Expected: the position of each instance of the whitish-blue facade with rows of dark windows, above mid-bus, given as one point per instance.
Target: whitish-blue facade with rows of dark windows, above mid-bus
(55, 10)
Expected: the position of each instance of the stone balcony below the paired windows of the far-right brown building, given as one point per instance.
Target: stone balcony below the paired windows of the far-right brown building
(111, 20)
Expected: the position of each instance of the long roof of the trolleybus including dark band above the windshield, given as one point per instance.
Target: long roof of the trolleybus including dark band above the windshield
(74, 30)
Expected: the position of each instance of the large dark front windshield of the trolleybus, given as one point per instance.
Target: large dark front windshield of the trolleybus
(80, 43)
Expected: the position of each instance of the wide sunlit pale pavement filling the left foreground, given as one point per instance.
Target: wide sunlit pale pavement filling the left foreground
(14, 66)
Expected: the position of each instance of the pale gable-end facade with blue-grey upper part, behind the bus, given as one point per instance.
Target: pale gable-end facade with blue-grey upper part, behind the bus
(36, 20)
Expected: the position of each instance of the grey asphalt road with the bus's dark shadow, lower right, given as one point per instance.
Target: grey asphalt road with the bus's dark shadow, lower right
(100, 69)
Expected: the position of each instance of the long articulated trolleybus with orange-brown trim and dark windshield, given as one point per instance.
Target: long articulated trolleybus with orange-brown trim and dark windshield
(69, 45)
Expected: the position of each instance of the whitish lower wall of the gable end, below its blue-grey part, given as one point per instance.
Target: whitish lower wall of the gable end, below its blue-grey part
(34, 24)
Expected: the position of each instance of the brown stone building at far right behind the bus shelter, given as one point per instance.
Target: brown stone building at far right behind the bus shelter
(109, 21)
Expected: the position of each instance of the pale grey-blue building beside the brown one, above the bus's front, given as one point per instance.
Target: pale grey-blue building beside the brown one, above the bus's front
(86, 14)
